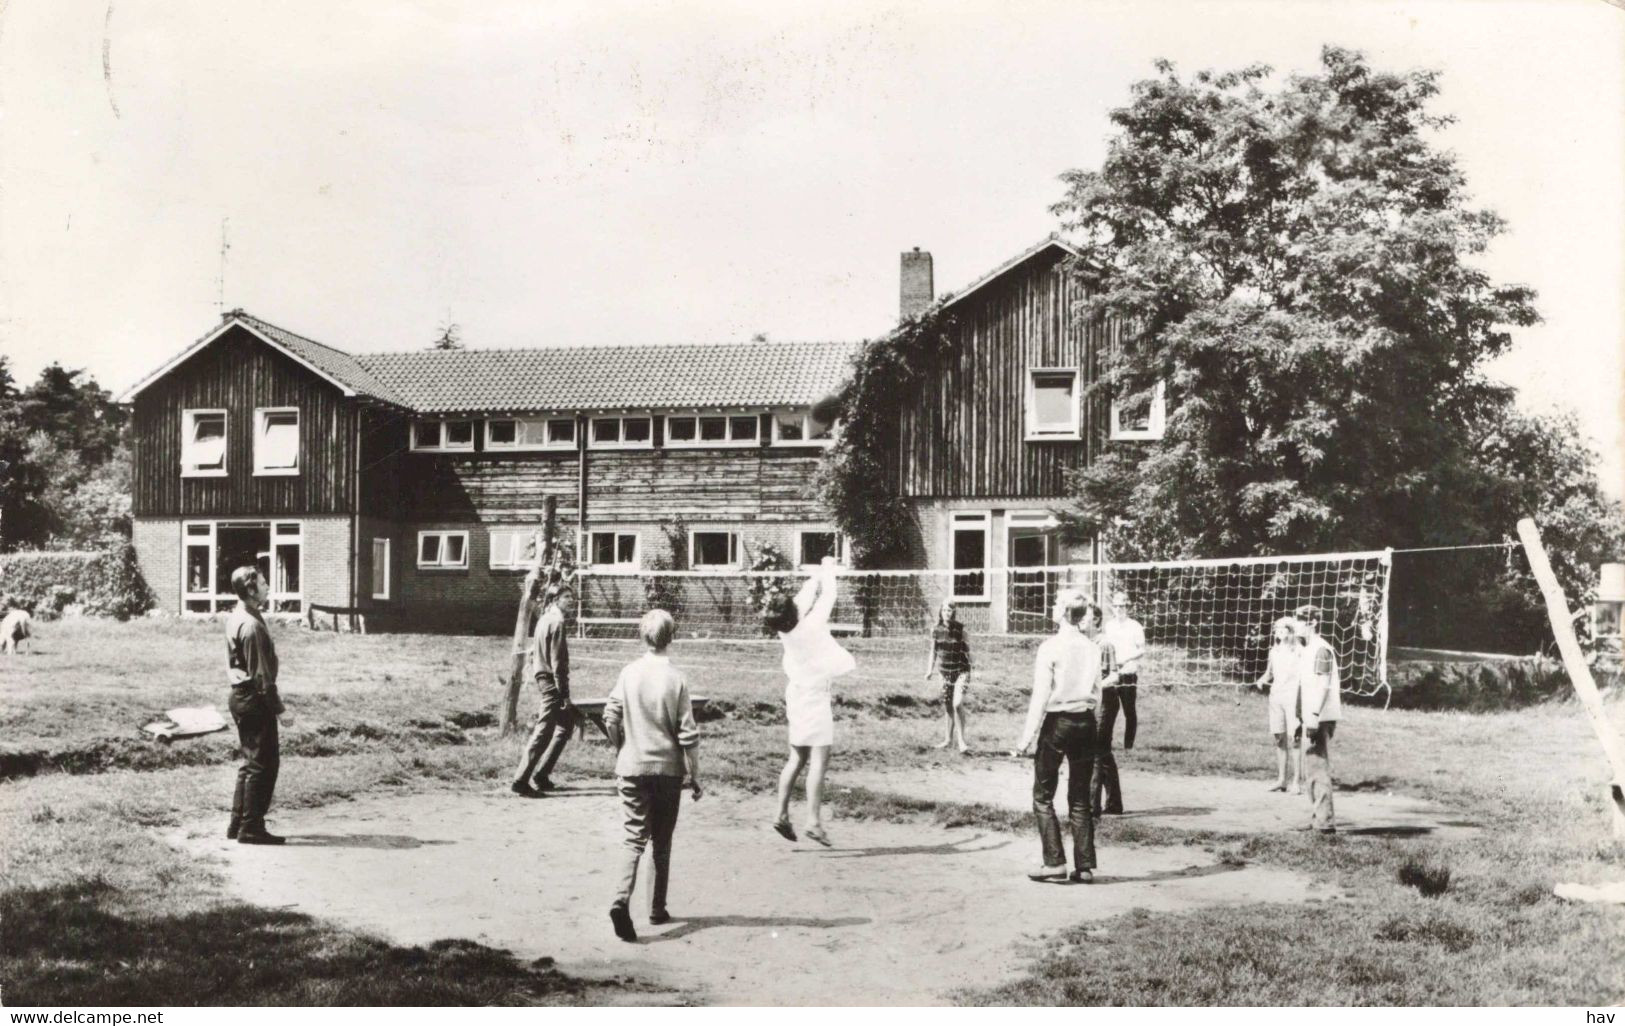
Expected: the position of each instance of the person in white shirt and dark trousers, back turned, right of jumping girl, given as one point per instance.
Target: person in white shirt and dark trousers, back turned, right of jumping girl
(1062, 728)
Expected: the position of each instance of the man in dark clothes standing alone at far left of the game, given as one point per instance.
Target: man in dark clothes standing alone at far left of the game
(251, 669)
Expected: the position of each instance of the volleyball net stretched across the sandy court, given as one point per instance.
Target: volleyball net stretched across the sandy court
(1208, 622)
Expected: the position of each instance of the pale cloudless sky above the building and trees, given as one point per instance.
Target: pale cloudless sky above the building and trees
(700, 172)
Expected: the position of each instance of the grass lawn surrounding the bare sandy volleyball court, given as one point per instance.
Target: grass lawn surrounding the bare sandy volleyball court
(98, 908)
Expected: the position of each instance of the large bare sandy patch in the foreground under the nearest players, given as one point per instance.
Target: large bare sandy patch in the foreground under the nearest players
(893, 915)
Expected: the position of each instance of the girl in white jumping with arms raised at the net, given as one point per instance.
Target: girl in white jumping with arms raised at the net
(813, 659)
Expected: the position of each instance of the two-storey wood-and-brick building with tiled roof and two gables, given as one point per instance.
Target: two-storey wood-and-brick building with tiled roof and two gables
(412, 484)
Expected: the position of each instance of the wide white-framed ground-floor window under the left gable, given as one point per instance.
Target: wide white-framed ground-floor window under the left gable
(217, 549)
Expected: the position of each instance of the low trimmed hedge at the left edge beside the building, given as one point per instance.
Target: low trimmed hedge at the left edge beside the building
(98, 585)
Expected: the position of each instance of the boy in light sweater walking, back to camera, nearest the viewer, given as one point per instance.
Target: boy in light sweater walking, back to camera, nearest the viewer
(651, 721)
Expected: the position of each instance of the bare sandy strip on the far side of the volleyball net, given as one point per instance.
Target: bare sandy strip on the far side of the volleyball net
(1215, 804)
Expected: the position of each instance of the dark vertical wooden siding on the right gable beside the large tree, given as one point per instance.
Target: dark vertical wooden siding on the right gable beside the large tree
(966, 433)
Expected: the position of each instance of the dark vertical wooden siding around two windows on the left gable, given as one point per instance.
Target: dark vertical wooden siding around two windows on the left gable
(240, 375)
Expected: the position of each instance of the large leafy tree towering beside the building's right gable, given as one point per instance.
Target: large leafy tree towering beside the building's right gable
(1296, 267)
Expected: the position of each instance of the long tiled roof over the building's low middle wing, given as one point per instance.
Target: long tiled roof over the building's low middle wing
(613, 378)
